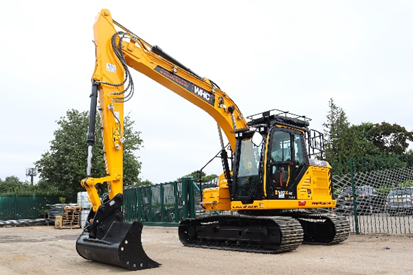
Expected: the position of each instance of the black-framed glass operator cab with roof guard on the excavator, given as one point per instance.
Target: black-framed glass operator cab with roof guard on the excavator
(271, 159)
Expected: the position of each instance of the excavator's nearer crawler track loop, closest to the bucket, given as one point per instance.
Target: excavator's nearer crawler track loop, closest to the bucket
(290, 230)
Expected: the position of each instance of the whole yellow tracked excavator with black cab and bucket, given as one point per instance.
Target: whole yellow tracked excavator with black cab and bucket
(275, 181)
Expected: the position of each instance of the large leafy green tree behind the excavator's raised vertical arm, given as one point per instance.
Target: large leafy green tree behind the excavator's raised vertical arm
(64, 165)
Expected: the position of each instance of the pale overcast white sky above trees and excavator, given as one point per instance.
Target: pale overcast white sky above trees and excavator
(288, 55)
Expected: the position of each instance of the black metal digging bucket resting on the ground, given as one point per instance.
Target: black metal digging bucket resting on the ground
(114, 242)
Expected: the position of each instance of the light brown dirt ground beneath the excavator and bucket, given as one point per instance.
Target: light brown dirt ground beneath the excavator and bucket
(45, 250)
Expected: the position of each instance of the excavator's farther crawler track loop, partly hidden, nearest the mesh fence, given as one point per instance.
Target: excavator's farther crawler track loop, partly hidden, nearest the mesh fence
(340, 223)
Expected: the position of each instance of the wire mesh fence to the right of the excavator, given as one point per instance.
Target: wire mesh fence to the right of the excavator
(375, 193)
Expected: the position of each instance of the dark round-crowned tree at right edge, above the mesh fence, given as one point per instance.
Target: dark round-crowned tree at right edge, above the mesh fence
(390, 138)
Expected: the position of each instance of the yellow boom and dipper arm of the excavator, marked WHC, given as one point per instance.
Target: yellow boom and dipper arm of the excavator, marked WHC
(138, 55)
